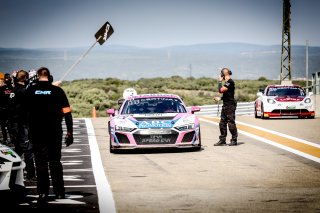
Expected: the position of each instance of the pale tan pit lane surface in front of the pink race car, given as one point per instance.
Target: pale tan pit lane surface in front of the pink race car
(251, 177)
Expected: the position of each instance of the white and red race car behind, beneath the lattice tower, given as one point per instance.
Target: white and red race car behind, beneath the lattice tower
(284, 100)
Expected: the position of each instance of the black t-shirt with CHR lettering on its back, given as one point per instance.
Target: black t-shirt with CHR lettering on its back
(44, 104)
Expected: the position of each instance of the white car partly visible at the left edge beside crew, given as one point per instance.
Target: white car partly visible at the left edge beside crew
(11, 169)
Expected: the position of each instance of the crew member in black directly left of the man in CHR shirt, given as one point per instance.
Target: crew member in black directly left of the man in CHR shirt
(17, 123)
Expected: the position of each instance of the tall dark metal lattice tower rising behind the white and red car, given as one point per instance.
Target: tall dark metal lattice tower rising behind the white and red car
(285, 71)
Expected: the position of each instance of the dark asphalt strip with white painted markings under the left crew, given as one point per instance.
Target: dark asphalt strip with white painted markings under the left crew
(81, 192)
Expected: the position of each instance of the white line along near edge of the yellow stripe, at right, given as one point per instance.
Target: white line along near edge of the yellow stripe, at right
(302, 154)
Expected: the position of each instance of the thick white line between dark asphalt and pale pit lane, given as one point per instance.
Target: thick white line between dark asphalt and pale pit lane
(105, 198)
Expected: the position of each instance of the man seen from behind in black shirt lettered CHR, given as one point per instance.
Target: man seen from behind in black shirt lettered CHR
(47, 105)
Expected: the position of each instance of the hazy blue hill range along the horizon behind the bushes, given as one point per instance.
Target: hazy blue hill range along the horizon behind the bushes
(248, 61)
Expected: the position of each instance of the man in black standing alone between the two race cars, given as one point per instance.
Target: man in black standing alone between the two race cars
(228, 108)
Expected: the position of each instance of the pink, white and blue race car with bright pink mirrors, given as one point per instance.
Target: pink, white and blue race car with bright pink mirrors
(153, 121)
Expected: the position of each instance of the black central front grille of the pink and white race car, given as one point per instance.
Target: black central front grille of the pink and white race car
(156, 139)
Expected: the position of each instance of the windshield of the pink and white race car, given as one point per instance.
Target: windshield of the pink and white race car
(153, 105)
